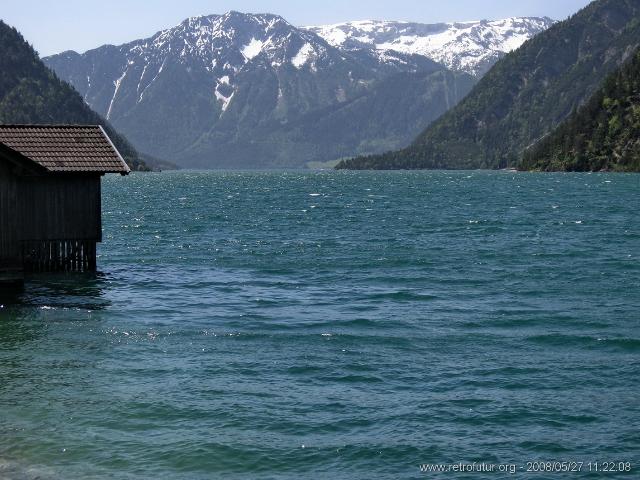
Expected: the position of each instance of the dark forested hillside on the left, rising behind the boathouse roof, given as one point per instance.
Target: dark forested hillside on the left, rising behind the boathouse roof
(31, 93)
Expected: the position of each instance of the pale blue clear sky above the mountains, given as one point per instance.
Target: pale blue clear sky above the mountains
(53, 26)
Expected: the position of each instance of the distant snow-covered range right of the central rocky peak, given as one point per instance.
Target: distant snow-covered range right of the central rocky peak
(471, 47)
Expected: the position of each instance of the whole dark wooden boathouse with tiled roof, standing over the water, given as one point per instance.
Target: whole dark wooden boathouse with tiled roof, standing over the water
(50, 198)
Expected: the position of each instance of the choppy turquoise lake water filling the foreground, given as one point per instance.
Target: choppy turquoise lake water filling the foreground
(333, 325)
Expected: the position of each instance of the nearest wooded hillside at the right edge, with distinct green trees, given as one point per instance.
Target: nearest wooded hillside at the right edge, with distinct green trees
(604, 134)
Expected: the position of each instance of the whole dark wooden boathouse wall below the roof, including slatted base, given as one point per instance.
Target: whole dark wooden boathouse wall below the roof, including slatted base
(53, 221)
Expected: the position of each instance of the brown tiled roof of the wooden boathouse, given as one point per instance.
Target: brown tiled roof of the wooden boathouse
(65, 148)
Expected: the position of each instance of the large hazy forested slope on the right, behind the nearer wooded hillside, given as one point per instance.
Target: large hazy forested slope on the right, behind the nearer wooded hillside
(525, 95)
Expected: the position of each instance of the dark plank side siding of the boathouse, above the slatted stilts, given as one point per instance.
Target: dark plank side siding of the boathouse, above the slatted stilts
(60, 207)
